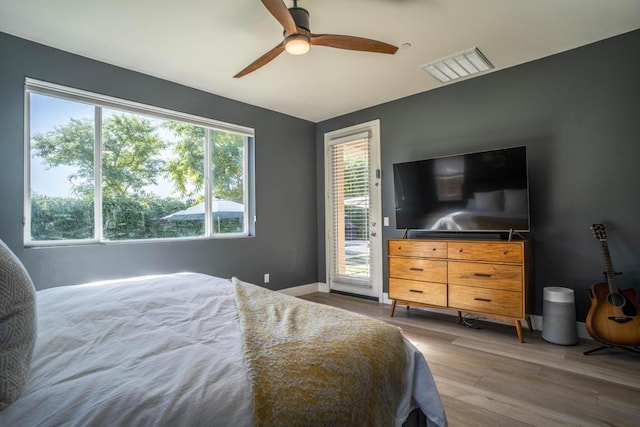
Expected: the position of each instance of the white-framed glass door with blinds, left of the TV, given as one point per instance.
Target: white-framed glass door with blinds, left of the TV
(353, 196)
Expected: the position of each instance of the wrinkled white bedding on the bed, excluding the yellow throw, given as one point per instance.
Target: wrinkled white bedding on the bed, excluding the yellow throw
(156, 350)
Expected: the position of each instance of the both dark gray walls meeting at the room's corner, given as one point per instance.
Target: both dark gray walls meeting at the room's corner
(576, 113)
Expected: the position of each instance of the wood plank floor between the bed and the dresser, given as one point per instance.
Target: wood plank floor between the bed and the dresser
(487, 378)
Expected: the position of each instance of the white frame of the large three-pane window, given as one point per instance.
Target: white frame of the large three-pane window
(99, 101)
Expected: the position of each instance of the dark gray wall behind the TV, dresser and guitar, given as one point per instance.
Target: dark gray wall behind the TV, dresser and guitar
(577, 112)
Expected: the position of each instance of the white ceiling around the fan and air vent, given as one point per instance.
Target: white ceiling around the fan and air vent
(202, 44)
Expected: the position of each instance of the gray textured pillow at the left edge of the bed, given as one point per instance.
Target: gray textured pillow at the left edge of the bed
(17, 325)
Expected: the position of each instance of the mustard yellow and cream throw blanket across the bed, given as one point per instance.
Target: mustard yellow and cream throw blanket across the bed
(311, 364)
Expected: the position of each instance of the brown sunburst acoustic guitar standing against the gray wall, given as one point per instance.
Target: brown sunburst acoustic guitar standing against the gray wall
(613, 317)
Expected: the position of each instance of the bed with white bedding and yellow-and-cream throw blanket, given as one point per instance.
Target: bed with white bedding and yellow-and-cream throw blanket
(174, 350)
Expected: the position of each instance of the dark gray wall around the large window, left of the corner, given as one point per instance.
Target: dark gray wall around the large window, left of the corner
(284, 242)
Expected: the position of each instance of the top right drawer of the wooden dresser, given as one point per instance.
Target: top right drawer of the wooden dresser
(486, 251)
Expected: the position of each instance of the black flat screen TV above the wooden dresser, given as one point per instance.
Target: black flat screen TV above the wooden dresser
(478, 192)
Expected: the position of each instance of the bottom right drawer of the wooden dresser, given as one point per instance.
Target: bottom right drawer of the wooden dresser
(490, 301)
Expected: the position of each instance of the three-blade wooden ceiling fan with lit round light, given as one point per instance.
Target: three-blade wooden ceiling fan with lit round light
(298, 37)
